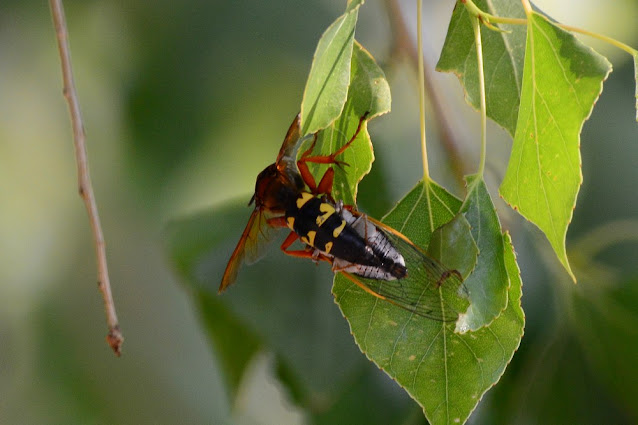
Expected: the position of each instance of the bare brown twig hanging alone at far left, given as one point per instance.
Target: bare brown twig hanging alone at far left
(114, 337)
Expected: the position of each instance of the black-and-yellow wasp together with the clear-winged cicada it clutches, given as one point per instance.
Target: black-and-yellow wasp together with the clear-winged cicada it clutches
(377, 258)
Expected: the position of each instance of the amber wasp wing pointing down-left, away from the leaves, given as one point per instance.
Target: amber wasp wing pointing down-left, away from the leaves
(251, 246)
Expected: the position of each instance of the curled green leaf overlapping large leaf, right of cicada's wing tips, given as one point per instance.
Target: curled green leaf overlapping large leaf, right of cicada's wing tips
(489, 282)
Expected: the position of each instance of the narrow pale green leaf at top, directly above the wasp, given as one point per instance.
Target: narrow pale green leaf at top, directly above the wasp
(327, 85)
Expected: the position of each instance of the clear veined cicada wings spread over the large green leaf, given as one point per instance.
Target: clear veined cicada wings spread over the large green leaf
(429, 288)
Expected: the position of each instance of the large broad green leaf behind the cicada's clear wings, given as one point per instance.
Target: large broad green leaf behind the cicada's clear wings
(445, 372)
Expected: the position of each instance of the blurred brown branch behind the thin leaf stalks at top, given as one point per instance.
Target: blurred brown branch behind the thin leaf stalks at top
(404, 43)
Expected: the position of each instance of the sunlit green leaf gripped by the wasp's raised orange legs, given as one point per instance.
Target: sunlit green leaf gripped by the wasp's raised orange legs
(369, 92)
